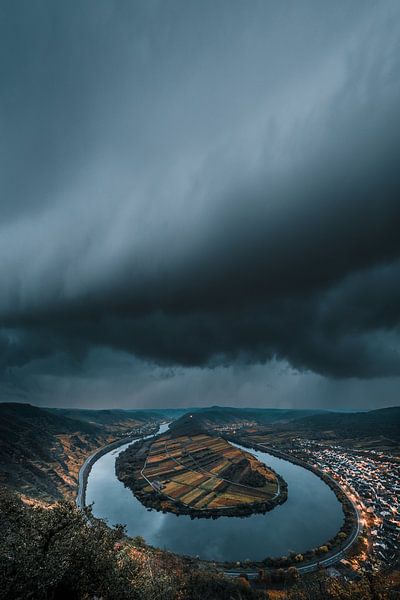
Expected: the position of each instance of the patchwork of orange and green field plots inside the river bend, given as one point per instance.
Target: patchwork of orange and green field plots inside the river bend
(204, 472)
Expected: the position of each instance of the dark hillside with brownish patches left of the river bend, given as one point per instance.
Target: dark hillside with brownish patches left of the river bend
(41, 450)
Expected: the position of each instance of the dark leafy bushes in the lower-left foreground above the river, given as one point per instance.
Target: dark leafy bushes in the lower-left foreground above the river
(56, 554)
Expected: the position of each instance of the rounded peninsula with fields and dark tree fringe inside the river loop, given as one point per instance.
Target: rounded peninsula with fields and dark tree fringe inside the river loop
(200, 475)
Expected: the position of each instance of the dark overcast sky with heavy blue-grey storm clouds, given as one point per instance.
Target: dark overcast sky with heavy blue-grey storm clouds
(200, 203)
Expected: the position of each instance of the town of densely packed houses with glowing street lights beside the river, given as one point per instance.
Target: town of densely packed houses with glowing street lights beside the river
(372, 480)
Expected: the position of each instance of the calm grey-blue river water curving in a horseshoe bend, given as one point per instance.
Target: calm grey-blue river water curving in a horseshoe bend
(309, 517)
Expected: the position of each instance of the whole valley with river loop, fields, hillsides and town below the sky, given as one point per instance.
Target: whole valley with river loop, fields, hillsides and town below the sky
(334, 475)
